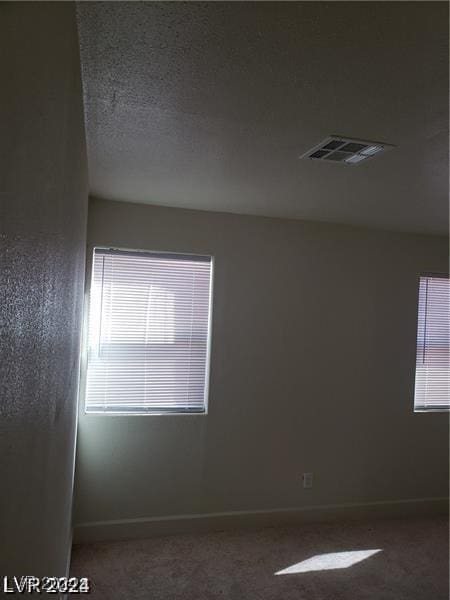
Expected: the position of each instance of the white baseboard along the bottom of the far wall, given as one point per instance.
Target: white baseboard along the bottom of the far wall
(142, 527)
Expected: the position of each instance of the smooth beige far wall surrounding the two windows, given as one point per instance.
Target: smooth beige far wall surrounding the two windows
(313, 356)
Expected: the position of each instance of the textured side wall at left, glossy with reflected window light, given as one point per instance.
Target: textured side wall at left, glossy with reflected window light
(43, 211)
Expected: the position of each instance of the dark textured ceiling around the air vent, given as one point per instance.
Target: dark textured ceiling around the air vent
(209, 105)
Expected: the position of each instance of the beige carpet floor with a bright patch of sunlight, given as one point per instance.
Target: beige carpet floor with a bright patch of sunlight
(411, 563)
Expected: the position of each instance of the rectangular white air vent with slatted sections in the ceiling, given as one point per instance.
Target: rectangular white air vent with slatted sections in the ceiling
(346, 151)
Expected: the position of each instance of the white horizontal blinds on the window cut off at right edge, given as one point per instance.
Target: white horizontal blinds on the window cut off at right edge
(432, 389)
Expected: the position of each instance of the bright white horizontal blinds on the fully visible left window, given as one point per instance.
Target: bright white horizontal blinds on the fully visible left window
(148, 332)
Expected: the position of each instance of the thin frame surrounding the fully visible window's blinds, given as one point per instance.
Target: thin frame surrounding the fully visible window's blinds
(82, 391)
